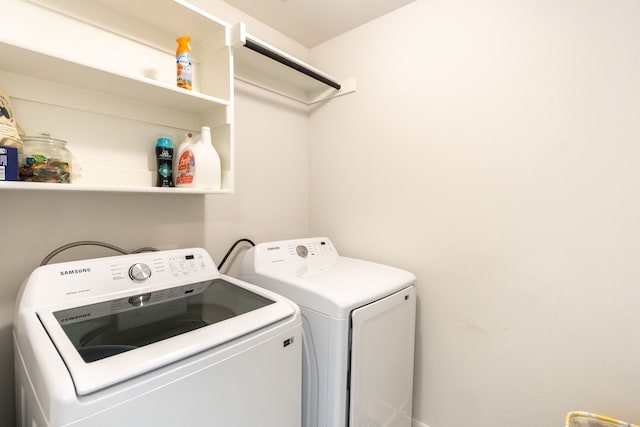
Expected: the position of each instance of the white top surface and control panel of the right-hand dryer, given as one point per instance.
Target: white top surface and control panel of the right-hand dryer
(318, 278)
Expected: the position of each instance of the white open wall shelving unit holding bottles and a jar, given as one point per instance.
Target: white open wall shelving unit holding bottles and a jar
(113, 93)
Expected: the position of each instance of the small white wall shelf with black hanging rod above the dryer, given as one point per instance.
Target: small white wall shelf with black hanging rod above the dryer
(264, 65)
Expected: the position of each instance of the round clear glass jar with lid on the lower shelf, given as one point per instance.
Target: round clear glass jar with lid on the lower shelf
(45, 159)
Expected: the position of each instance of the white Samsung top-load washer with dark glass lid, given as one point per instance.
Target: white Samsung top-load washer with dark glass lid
(154, 339)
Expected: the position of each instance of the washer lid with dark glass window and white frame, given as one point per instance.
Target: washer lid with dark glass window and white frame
(110, 341)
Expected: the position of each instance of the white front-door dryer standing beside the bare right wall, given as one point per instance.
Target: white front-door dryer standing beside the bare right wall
(359, 328)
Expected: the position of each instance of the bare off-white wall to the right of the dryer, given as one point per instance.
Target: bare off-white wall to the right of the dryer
(492, 148)
